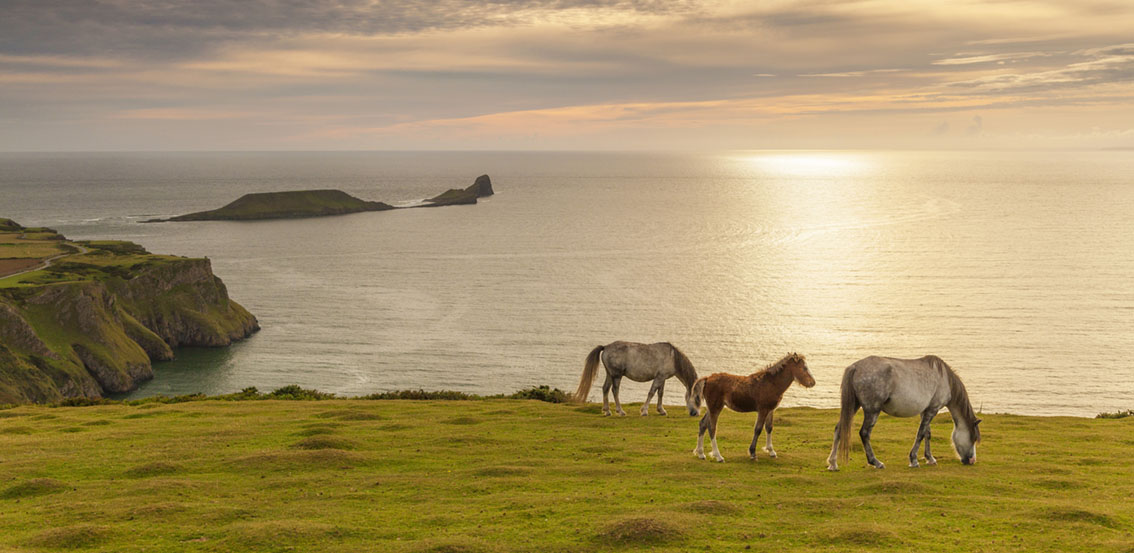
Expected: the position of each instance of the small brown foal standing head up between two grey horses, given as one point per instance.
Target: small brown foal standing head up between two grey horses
(759, 393)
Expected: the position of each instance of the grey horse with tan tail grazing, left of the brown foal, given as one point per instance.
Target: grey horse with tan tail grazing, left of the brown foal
(639, 363)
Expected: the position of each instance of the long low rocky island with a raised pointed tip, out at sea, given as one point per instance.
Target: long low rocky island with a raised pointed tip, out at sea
(295, 205)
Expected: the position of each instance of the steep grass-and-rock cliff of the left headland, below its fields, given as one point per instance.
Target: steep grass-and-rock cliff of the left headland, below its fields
(92, 324)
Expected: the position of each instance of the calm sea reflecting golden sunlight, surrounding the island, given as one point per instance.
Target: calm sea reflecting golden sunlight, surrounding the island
(1014, 268)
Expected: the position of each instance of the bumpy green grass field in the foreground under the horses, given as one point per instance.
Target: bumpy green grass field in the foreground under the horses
(507, 475)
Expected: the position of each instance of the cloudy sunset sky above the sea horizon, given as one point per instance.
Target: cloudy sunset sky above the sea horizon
(140, 75)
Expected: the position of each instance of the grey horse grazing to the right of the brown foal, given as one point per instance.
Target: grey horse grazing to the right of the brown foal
(904, 388)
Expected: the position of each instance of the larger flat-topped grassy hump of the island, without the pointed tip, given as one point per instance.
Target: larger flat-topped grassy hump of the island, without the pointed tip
(286, 206)
